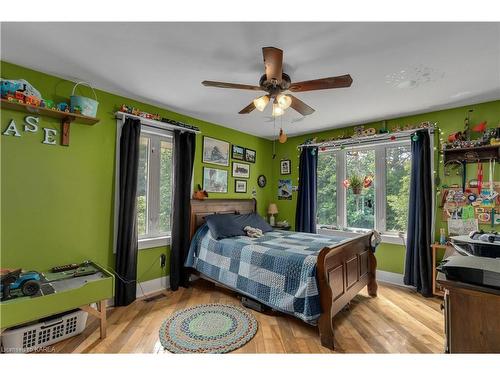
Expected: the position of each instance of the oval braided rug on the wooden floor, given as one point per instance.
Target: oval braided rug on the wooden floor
(209, 328)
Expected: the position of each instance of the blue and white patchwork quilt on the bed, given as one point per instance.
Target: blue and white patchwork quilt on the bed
(278, 269)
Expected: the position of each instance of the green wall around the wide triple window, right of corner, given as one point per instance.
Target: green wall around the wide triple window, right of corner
(390, 257)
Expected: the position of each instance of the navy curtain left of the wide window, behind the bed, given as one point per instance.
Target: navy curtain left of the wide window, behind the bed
(305, 215)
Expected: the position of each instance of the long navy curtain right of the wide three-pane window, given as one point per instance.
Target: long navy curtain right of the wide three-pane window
(418, 264)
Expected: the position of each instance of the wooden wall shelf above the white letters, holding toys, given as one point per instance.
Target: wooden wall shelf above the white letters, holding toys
(66, 117)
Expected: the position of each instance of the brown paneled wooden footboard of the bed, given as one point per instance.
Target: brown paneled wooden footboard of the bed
(342, 272)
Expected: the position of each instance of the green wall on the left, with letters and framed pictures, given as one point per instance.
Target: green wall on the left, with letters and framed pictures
(57, 202)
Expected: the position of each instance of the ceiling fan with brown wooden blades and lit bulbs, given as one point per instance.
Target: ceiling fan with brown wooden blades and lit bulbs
(275, 82)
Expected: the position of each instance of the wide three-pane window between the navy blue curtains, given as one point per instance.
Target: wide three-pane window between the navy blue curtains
(382, 206)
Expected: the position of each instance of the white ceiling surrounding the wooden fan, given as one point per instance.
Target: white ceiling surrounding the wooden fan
(164, 64)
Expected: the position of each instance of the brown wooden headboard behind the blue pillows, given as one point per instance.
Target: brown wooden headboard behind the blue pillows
(201, 209)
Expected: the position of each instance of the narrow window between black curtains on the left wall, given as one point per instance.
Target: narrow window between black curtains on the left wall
(154, 187)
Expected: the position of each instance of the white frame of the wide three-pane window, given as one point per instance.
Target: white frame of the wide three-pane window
(380, 193)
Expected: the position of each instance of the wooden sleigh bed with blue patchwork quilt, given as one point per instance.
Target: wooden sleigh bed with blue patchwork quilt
(309, 276)
